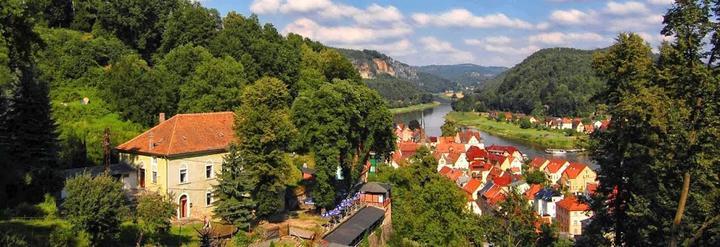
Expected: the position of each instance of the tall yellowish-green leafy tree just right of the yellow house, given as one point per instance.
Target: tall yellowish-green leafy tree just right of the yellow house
(264, 129)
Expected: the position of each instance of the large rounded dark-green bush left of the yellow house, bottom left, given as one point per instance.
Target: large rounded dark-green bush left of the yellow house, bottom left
(94, 205)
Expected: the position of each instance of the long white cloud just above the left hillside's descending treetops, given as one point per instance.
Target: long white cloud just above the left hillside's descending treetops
(344, 34)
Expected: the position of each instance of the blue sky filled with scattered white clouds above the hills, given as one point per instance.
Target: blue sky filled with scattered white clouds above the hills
(484, 32)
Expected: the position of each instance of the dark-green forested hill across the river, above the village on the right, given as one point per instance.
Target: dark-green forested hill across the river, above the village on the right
(553, 81)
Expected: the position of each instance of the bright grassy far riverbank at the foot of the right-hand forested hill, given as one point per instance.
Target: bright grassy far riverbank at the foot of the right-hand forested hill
(541, 138)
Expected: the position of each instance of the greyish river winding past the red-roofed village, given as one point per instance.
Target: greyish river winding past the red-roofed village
(435, 117)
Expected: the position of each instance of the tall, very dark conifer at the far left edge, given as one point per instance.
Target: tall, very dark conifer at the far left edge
(28, 131)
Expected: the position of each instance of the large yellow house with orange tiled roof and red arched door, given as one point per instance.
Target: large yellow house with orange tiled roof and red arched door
(181, 158)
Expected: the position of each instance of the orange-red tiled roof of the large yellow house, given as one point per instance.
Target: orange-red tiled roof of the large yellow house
(185, 134)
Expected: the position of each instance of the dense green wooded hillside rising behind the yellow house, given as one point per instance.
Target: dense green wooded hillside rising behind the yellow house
(107, 68)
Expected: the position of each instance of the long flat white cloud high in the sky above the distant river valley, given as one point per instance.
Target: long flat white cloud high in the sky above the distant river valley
(464, 18)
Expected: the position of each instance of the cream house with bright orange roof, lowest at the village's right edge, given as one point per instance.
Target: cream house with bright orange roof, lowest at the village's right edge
(570, 215)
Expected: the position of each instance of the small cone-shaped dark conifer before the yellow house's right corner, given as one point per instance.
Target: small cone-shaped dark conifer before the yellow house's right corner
(233, 191)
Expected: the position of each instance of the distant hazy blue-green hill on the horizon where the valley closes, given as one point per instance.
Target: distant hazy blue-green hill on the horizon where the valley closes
(465, 75)
